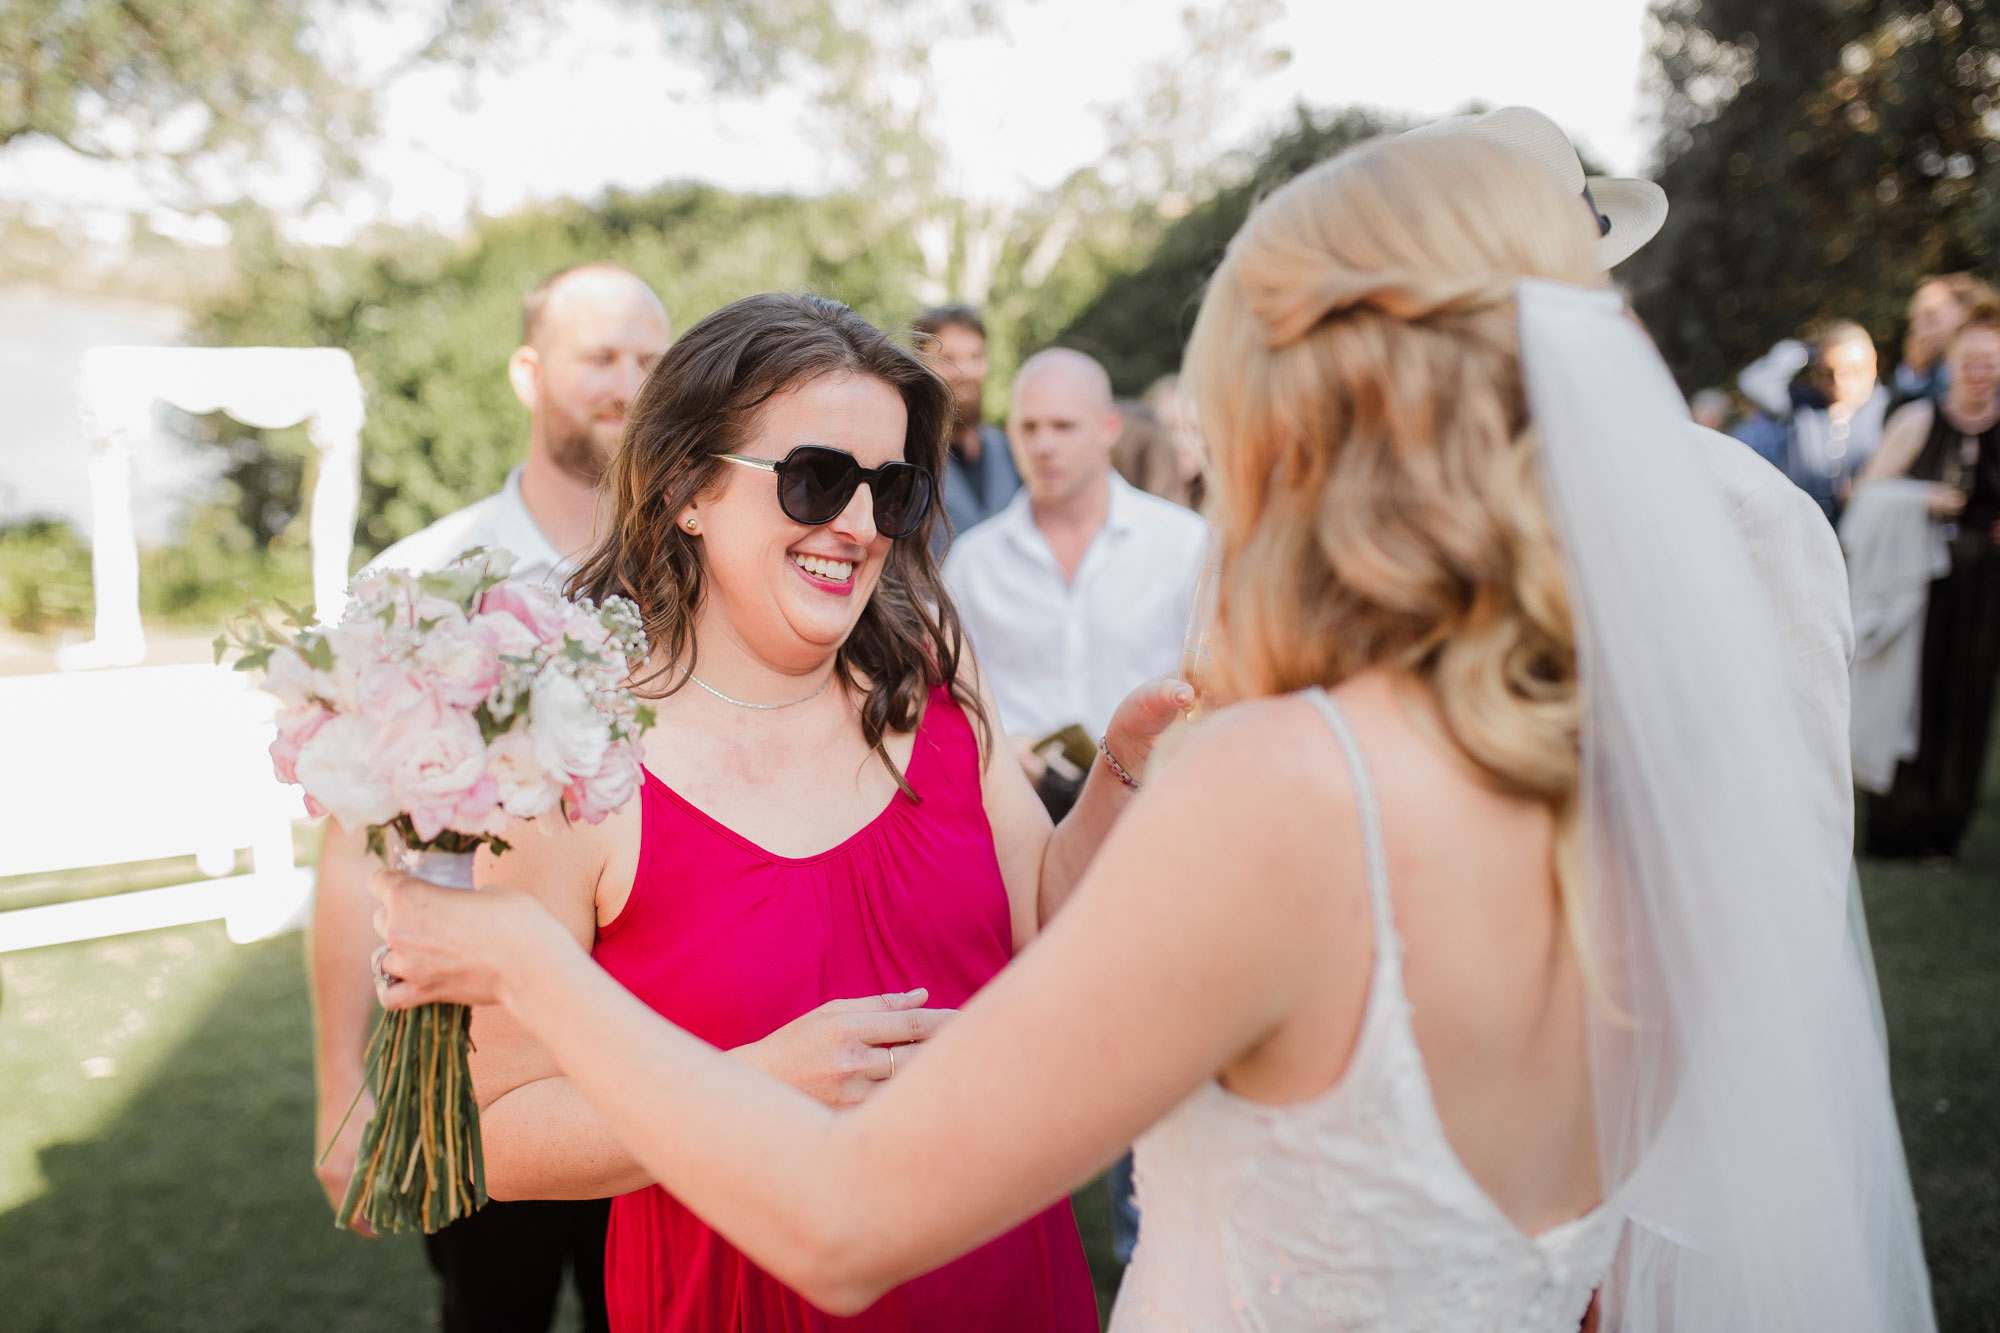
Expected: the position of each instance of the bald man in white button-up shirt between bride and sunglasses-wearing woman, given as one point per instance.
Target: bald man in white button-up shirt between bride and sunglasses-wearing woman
(1083, 585)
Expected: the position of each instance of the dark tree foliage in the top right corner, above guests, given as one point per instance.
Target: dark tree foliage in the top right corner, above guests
(1821, 157)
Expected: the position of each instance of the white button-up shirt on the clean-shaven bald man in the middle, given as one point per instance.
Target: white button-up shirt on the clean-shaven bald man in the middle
(1059, 651)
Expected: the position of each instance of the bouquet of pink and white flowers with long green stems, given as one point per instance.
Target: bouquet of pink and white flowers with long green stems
(437, 710)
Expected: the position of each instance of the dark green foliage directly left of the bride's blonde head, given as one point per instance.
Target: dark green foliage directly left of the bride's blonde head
(1141, 319)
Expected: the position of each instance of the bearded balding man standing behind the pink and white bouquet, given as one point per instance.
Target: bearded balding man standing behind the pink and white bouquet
(589, 339)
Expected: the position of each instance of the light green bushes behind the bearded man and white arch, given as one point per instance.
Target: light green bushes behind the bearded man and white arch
(433, 321)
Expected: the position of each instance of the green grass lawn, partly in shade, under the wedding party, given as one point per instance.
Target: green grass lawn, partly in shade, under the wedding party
(157, 1106)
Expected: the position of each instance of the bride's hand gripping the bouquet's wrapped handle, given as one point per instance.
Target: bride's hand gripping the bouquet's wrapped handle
(457, 948)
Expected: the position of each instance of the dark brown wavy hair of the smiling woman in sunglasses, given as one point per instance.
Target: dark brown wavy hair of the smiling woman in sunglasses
(701, 401)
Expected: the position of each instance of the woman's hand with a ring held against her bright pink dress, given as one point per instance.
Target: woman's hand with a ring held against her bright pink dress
(847, 1050)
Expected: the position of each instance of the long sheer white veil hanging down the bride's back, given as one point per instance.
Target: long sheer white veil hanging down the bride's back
(1745, 1118)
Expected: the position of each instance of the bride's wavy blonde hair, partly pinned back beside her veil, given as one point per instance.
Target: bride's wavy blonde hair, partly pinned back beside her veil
(1377, 495)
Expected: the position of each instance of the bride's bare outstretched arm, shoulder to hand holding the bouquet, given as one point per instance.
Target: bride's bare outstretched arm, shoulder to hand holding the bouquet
(1185, 950)
